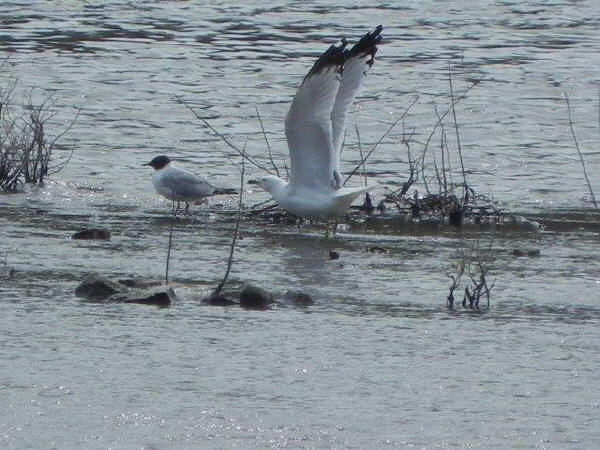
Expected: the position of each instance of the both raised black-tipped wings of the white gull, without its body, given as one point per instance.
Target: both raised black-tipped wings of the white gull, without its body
(315, 123)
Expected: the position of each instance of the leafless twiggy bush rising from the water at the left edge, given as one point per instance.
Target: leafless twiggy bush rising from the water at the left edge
(26, 149)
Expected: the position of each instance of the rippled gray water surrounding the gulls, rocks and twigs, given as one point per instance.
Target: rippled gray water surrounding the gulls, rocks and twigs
(379, 361)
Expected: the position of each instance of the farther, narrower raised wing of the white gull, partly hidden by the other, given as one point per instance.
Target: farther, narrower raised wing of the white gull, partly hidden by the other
(357, 62)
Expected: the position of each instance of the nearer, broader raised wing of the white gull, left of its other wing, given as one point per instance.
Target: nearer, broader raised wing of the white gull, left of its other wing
(308, 123)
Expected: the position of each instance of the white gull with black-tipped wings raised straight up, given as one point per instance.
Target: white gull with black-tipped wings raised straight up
(314, 128)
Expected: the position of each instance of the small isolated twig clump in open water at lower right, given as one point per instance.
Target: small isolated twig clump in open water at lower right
(474, 263)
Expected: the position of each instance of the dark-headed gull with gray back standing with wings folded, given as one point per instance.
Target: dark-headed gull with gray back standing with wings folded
(181, 185)
